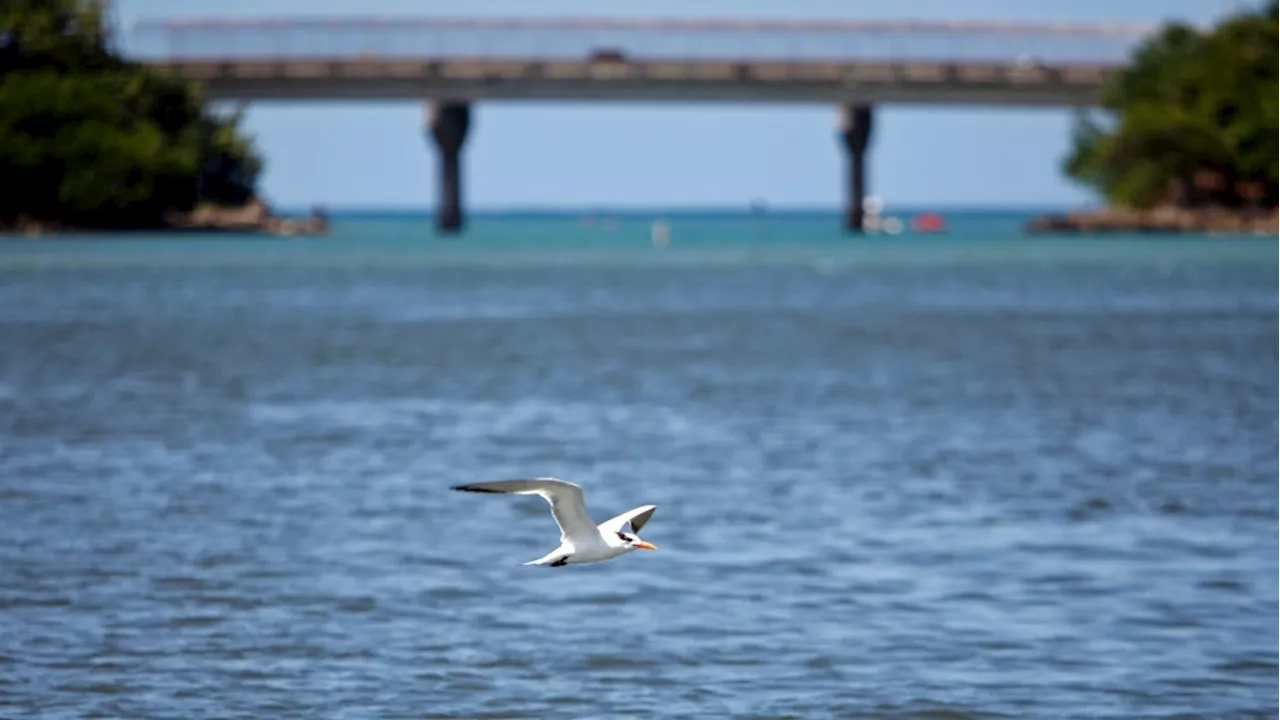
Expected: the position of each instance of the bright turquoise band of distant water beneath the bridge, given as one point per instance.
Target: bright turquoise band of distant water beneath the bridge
(628, 239)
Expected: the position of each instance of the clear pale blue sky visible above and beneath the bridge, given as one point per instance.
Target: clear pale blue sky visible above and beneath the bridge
(575, 156)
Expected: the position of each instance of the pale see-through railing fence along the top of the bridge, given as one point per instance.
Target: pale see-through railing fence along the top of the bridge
(633, 39)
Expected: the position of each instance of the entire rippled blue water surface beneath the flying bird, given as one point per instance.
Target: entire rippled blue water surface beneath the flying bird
(966, 476)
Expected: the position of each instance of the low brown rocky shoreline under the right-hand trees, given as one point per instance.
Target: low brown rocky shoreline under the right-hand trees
(1160, 221)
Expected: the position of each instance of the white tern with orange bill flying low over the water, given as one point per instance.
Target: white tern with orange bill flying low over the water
(582, 540)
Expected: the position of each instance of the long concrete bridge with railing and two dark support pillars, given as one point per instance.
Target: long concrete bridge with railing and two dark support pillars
(454, 63)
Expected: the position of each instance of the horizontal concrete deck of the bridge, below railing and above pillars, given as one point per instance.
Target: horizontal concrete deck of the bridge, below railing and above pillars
(659, 80)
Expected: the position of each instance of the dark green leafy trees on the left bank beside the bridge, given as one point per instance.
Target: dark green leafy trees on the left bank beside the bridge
(92, 140)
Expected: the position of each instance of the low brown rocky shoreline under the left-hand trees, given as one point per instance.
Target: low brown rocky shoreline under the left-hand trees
(253, 218)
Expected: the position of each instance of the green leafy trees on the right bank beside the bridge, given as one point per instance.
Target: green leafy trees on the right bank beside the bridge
(1195, 119)
